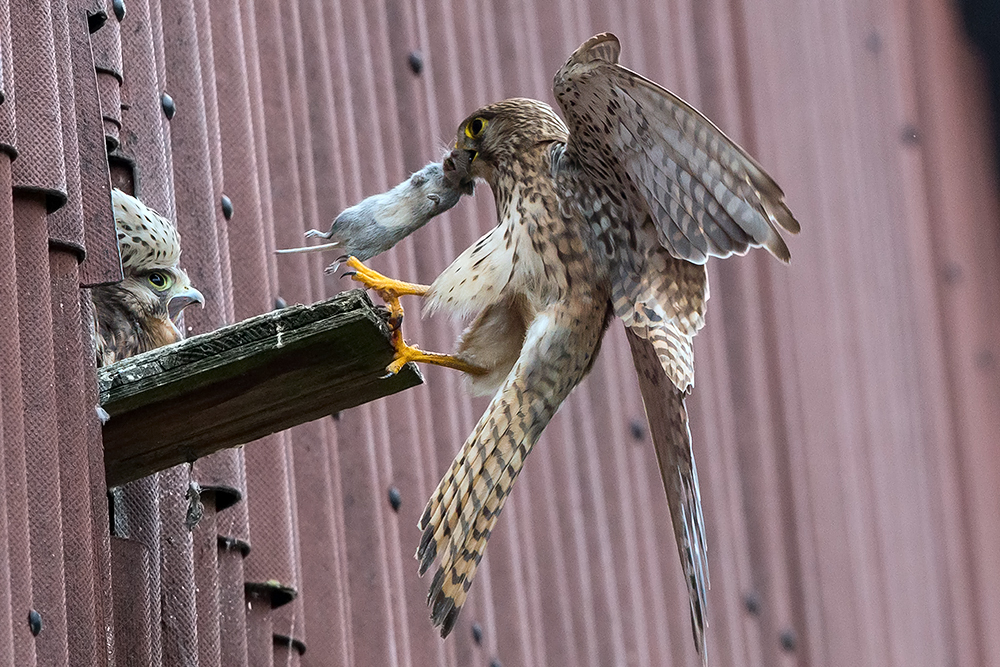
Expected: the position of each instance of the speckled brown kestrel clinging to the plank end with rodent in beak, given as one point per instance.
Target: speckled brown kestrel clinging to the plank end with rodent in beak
(612, 213)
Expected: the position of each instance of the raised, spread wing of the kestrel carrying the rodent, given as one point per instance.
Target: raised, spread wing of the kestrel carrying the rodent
(707, 196)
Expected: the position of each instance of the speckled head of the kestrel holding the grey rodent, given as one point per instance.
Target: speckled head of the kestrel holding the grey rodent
(496, 136)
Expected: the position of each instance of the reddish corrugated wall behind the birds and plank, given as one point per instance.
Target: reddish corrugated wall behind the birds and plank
(846, 411)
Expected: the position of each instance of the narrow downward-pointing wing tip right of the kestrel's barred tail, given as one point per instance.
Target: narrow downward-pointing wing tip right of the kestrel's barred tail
(668, 427)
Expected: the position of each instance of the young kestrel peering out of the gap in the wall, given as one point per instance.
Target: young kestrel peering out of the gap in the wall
(140, 312)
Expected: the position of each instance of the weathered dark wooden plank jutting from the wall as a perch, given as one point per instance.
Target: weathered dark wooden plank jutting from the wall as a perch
(242, 382)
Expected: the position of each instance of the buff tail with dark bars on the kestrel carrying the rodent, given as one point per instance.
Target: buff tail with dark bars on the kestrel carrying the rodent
(461, 513)
